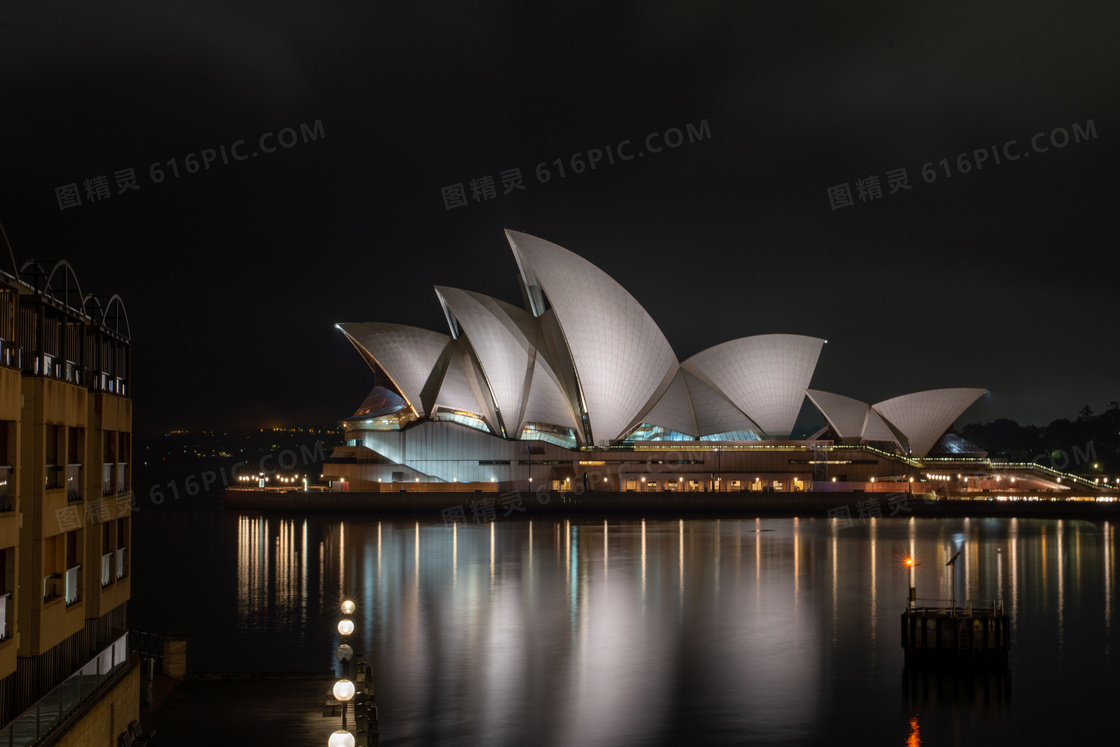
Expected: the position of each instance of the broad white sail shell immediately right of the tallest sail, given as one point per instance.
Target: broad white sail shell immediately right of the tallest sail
(766, 377)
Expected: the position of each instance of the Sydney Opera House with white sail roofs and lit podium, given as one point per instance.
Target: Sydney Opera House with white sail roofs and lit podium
(580, 390)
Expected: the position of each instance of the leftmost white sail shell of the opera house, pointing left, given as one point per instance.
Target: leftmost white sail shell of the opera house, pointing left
(408, 356)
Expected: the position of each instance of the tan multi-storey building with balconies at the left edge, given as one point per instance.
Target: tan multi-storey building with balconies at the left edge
(66, 494)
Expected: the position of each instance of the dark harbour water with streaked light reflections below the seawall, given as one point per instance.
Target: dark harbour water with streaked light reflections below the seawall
(658, 632)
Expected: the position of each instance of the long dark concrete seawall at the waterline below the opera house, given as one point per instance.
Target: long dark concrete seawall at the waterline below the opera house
(650, 503)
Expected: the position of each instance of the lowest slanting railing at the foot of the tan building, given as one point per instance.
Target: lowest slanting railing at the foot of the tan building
(39, 721)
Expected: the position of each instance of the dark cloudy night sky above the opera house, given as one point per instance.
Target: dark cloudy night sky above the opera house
(234, 277)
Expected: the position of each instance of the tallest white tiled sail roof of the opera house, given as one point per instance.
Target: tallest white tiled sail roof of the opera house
(621, 357)
